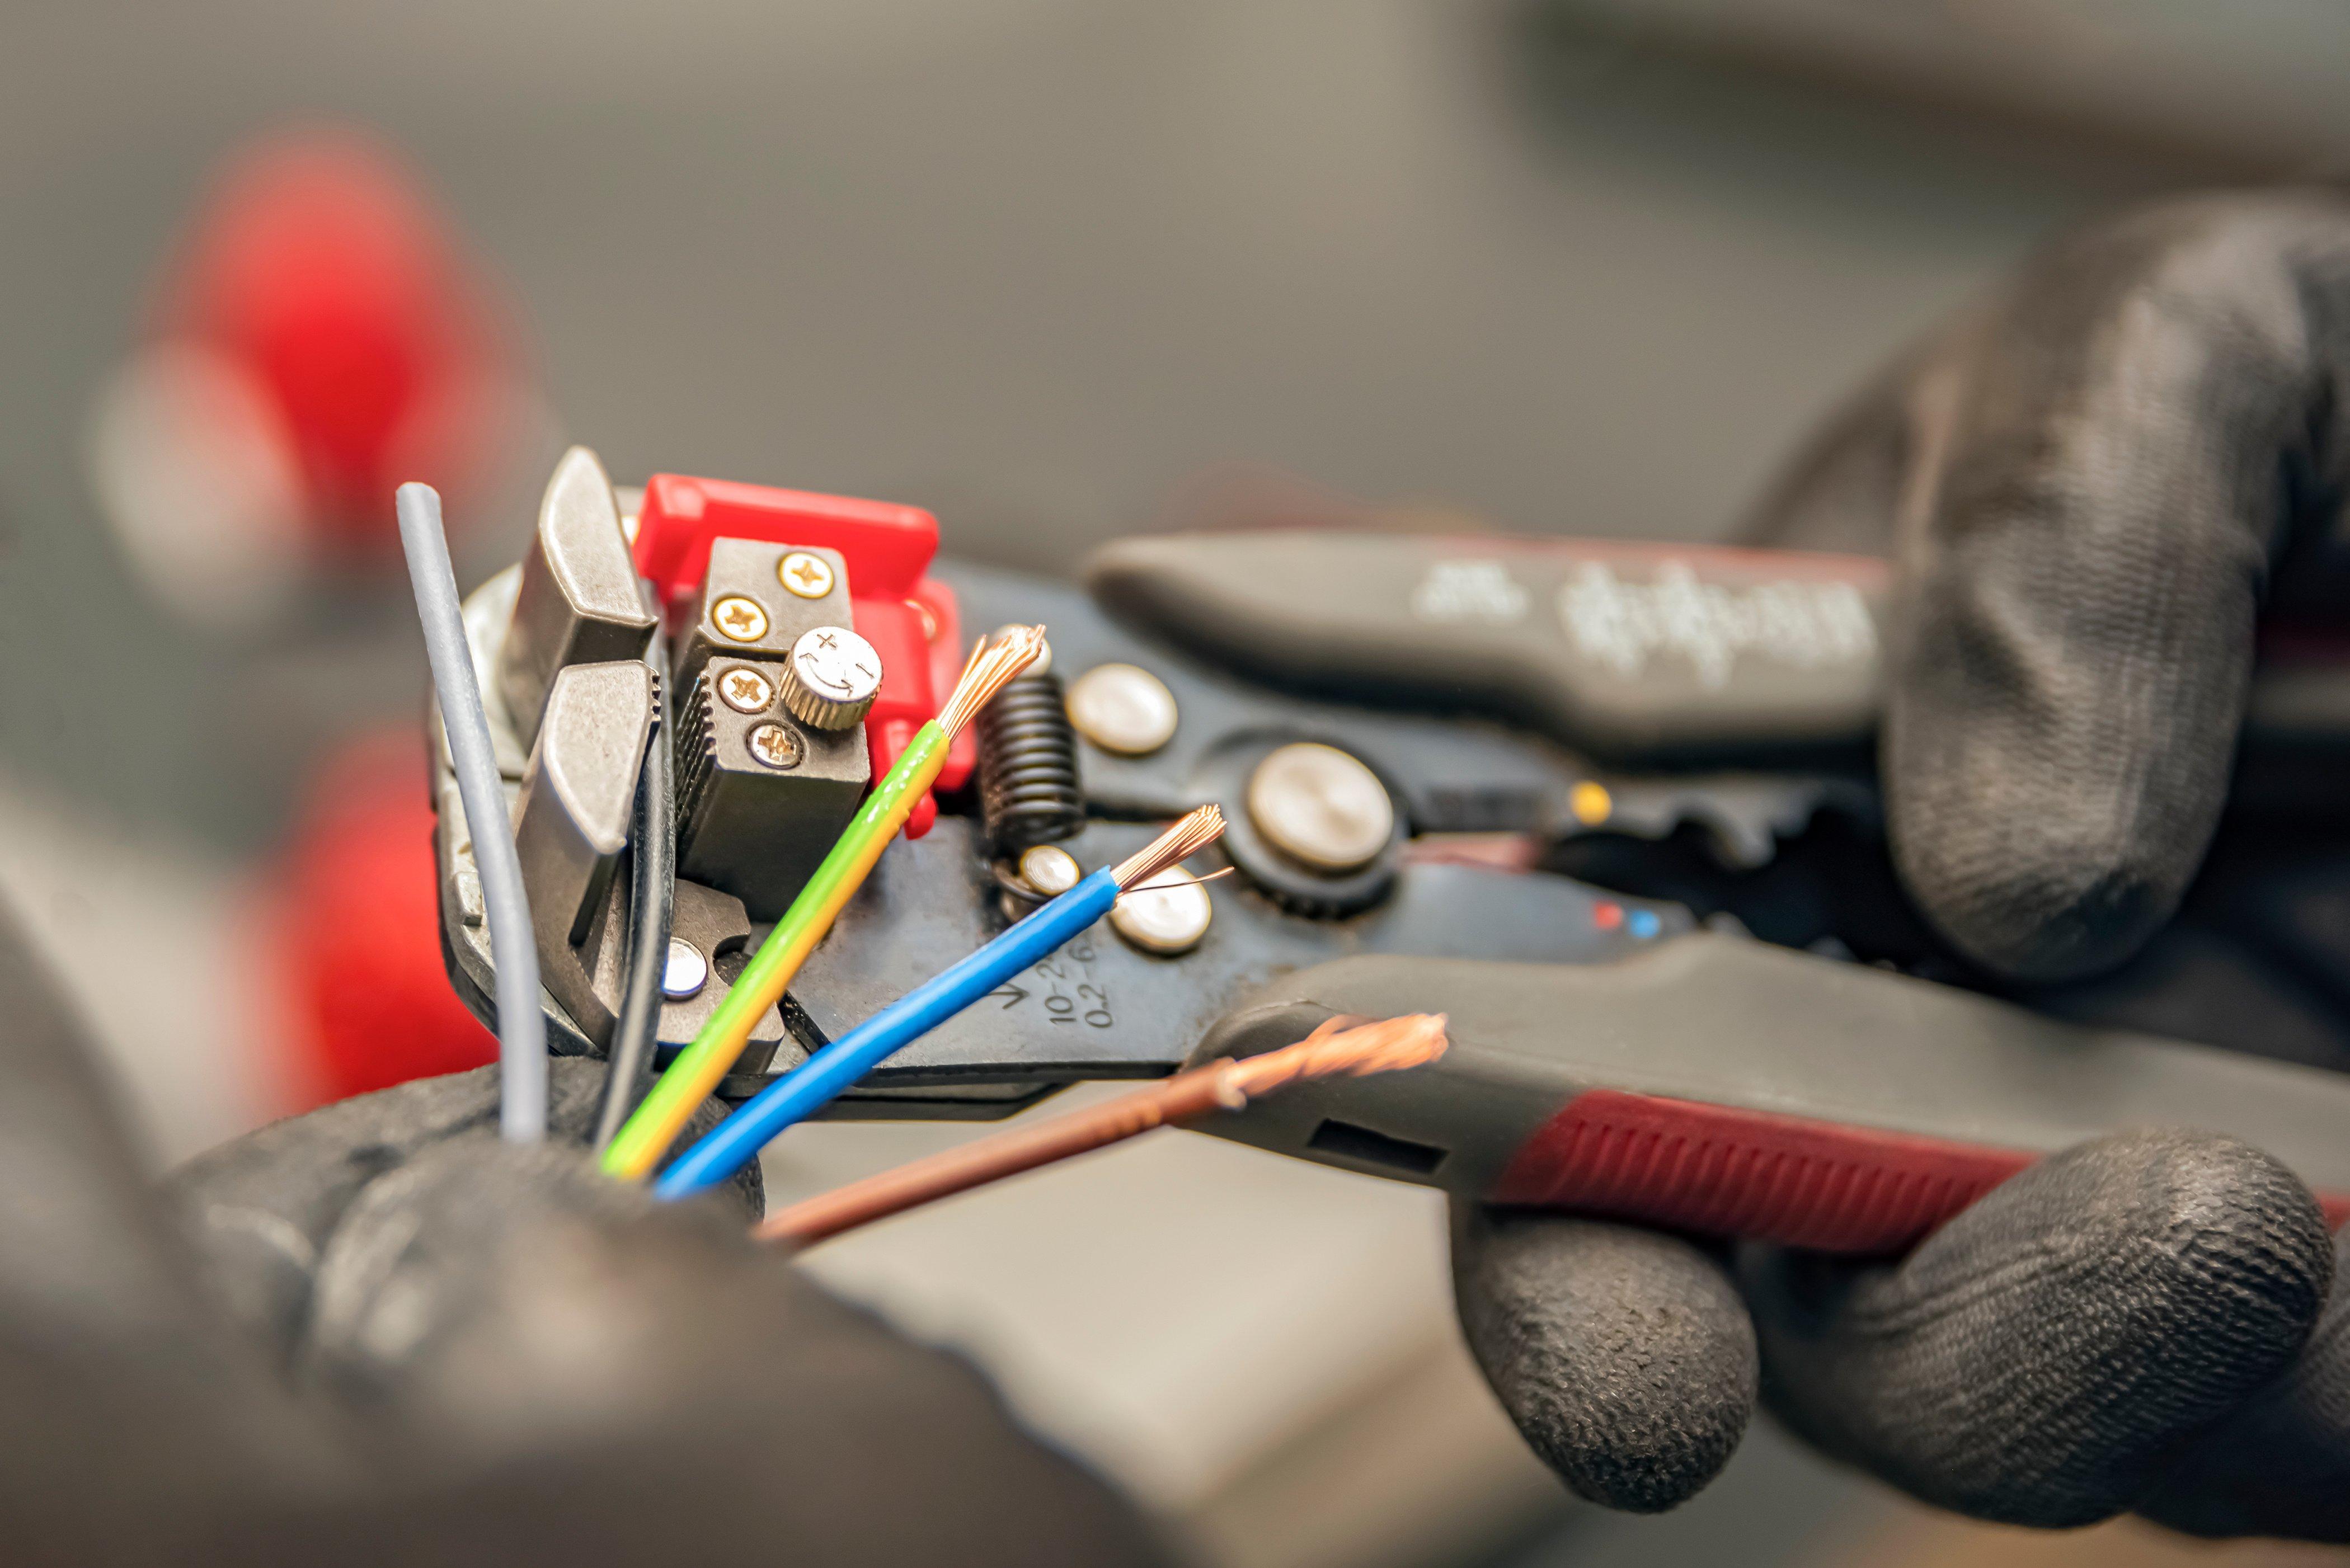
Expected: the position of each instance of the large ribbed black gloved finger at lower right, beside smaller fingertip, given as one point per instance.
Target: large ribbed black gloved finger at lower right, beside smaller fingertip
(2053, 1353)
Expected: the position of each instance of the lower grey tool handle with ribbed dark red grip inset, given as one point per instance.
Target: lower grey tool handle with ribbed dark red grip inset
(1724, 1087)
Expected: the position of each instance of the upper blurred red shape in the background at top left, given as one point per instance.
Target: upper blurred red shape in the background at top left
(321, 269)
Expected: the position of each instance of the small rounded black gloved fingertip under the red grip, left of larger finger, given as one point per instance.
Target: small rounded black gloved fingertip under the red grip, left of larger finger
(1623, 1355)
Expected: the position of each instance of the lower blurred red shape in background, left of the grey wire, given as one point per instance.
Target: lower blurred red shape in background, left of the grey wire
(358, 932)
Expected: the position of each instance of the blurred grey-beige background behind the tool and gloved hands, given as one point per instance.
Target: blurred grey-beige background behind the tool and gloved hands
(1061, 269)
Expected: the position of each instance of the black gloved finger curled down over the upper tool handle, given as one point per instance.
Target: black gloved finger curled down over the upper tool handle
(2086, 485)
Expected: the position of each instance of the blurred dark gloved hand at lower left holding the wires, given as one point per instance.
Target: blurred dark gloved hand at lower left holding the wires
(380, 1336)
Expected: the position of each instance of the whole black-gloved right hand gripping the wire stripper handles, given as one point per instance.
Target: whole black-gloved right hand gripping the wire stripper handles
(2093, 488)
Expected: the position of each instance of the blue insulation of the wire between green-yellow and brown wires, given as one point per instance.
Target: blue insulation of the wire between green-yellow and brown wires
(840, 1066)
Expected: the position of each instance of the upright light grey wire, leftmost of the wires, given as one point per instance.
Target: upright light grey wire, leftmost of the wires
(523, 1028)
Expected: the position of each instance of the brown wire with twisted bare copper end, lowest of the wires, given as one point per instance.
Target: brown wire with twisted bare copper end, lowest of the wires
(1188, 1097)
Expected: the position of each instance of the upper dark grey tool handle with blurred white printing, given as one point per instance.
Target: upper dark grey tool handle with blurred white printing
(1623, 650)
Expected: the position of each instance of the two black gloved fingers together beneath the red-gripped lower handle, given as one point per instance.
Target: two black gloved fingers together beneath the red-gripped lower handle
(2137, 1325)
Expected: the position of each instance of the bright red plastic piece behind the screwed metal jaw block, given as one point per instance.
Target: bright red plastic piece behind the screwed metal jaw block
(906, 615)
